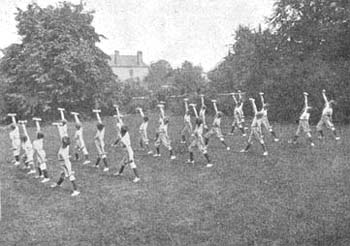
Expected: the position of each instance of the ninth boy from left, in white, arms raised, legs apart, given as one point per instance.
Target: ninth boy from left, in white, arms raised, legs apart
(162, 134)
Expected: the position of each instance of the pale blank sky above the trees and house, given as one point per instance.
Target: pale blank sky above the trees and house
(199, 31)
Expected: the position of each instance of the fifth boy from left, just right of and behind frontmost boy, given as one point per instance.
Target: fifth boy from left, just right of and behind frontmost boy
(79, 140)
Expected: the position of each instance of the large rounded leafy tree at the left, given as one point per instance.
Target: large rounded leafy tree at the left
(57, 62)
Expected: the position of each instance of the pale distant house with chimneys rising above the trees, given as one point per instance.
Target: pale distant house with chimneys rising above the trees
(128, 66)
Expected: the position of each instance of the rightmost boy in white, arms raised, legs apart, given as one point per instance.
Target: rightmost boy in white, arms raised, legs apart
(326, 118)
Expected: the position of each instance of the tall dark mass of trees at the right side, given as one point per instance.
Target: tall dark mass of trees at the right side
(306, 47)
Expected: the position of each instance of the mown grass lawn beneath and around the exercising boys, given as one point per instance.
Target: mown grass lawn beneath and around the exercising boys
(297, 195)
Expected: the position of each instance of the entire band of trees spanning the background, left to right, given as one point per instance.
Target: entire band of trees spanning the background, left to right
(306, 47)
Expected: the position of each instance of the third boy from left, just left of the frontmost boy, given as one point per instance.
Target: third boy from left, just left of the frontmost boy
(38, 146)
